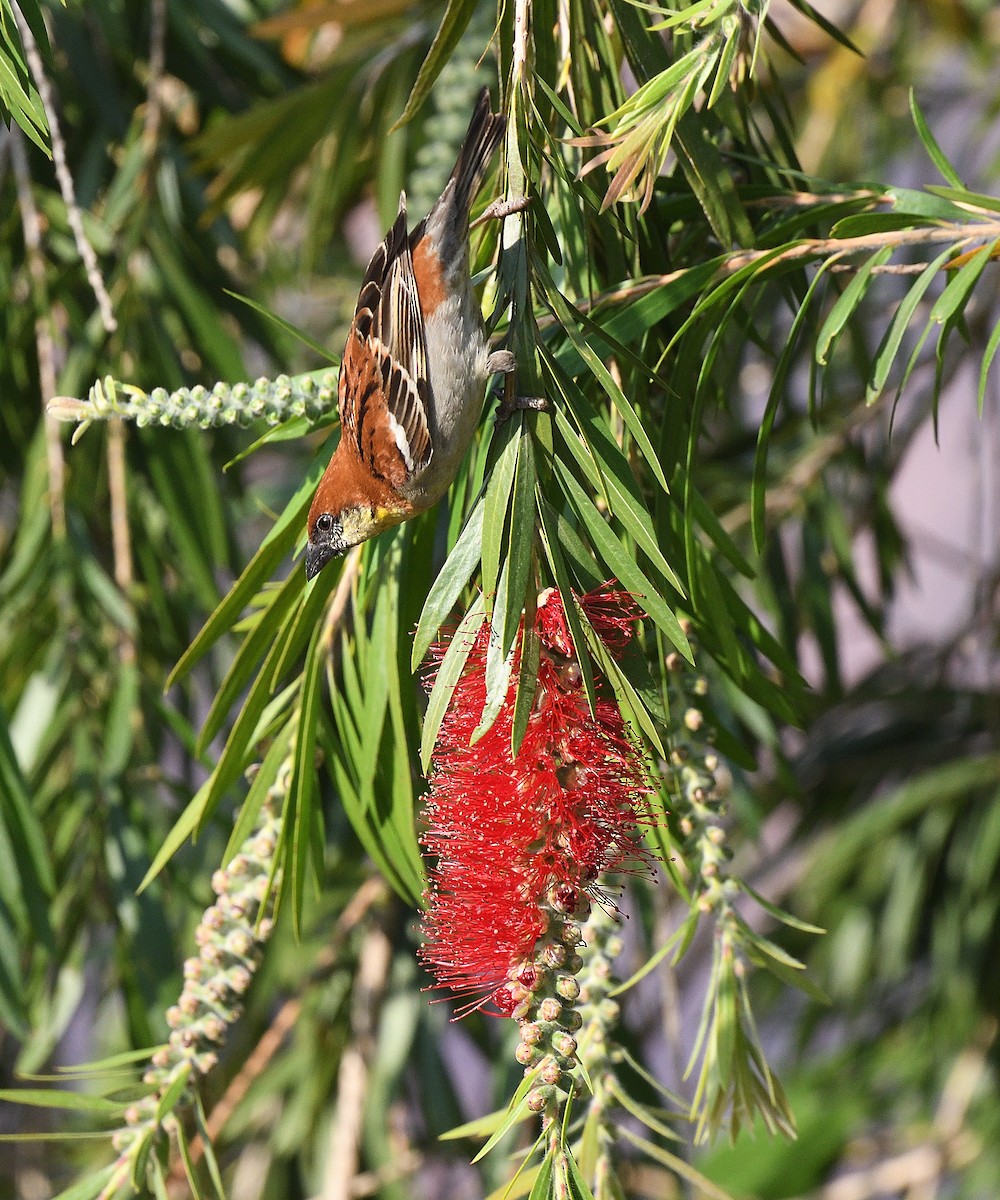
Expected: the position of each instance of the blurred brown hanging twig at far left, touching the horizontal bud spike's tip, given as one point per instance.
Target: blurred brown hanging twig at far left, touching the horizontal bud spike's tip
(45, 341)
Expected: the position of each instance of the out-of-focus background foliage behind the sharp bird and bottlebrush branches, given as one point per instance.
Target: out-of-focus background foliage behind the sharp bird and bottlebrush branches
(244, 148)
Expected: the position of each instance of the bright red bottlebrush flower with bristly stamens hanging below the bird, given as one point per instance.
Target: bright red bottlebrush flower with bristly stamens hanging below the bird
(516, 837)
